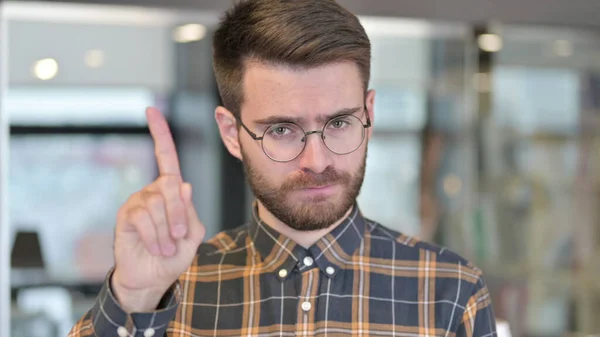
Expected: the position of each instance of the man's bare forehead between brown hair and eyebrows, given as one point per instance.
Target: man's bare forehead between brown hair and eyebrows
(307, 92)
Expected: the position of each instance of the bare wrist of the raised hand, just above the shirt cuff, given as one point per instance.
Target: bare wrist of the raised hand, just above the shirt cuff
(135, 300)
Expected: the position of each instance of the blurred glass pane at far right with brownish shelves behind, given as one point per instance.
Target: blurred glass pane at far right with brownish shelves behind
(541, 181)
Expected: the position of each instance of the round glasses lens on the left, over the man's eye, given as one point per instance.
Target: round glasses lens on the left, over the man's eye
(283, 142)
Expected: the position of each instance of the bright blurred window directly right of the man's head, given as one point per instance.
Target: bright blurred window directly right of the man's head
(418, 71)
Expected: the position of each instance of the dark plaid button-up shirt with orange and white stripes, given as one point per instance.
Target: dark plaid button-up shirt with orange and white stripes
(361, 279)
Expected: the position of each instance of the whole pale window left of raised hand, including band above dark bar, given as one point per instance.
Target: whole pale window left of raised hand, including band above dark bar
(66, 184)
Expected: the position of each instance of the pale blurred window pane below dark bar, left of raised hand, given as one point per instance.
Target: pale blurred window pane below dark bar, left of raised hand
(68, 188)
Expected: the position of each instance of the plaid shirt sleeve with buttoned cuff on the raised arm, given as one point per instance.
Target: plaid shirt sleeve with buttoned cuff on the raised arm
(108, 319)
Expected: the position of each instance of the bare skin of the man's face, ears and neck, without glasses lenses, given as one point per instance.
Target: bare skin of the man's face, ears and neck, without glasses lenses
(307, 95)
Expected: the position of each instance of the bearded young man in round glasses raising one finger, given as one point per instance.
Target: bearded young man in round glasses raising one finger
(293, 76)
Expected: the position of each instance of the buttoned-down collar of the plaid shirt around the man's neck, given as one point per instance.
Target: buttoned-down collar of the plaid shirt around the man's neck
(330, 253)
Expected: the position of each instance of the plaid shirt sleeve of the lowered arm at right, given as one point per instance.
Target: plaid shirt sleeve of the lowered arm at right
(478, 317)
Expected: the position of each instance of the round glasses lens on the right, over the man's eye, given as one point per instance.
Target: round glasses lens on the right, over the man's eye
(344, 134)
